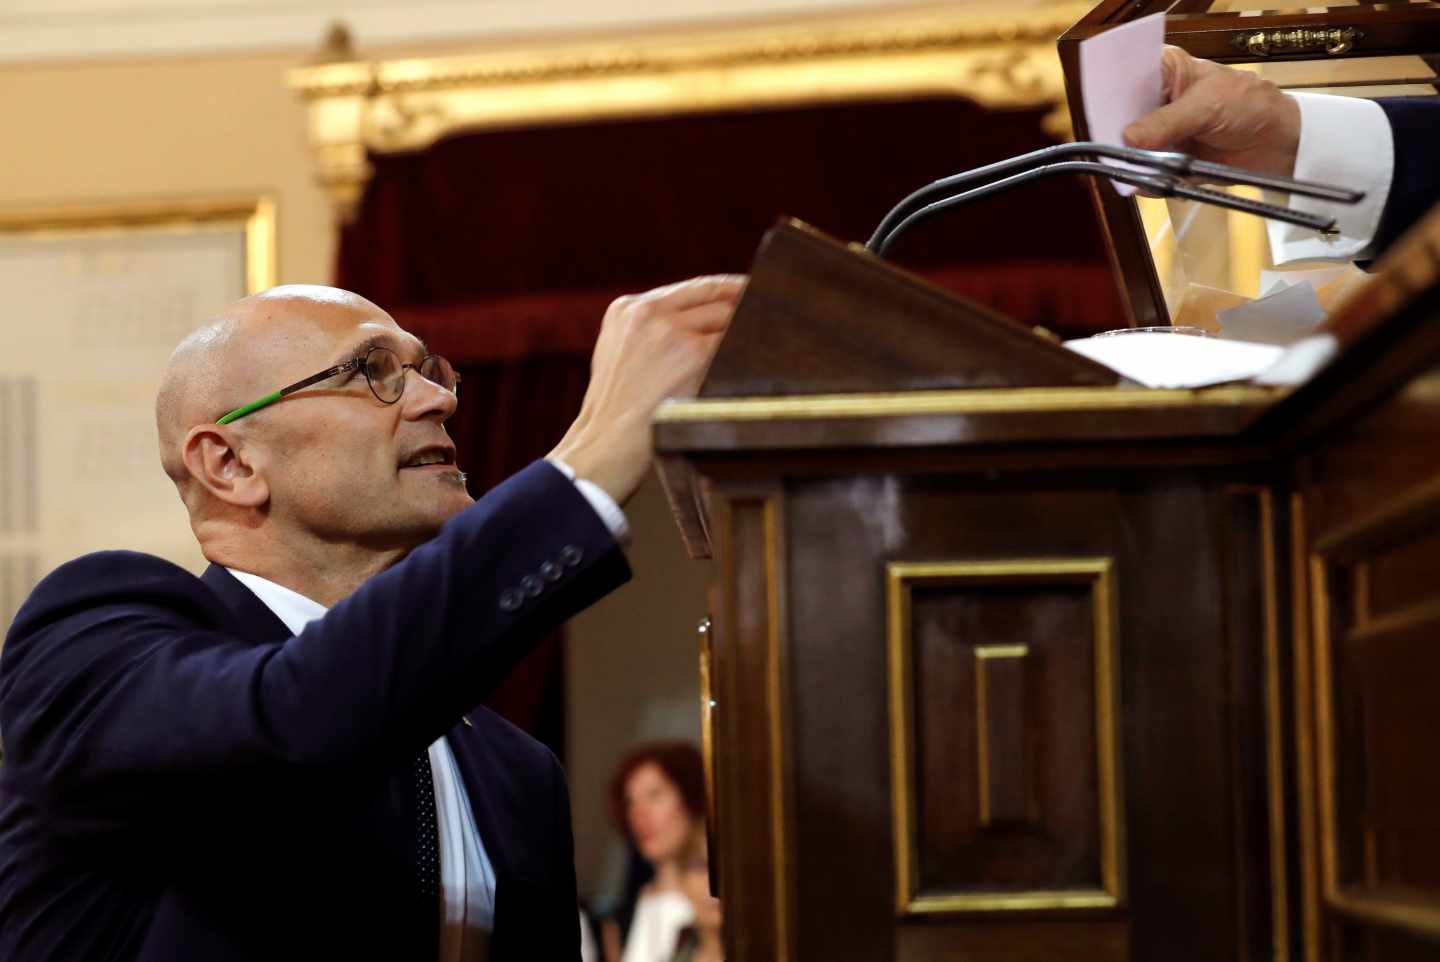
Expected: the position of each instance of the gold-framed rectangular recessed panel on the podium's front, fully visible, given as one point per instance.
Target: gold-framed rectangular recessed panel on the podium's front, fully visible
(1006, 784)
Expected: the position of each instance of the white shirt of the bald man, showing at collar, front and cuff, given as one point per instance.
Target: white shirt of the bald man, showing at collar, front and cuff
(467, 876)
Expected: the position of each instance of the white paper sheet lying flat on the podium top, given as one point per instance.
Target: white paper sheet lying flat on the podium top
(1177, 361)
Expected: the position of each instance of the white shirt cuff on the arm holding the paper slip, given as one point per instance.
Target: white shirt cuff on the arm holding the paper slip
(1344, 142)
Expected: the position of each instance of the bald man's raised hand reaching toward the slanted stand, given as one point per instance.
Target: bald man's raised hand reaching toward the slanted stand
(653, 346)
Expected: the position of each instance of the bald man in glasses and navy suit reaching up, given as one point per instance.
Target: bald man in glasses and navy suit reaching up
(284, 758)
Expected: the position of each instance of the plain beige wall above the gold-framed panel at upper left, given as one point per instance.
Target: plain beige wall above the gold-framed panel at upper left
(87, 133)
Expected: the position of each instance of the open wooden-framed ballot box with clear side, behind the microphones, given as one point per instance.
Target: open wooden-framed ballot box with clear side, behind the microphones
(1169, 254)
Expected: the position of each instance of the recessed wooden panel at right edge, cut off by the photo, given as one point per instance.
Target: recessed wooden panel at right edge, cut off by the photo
(1379, 718)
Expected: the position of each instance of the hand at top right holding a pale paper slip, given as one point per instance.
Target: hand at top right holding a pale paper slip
(1220, 114)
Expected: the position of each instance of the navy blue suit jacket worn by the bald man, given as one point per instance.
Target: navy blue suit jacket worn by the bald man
(185, 781)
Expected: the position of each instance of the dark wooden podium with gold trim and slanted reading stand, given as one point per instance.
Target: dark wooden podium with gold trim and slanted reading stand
(1013, 663)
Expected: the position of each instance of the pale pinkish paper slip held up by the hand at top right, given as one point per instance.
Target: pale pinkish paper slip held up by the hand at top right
(1121, 80)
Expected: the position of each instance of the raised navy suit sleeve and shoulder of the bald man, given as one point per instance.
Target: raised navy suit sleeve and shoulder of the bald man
(120, 701)
